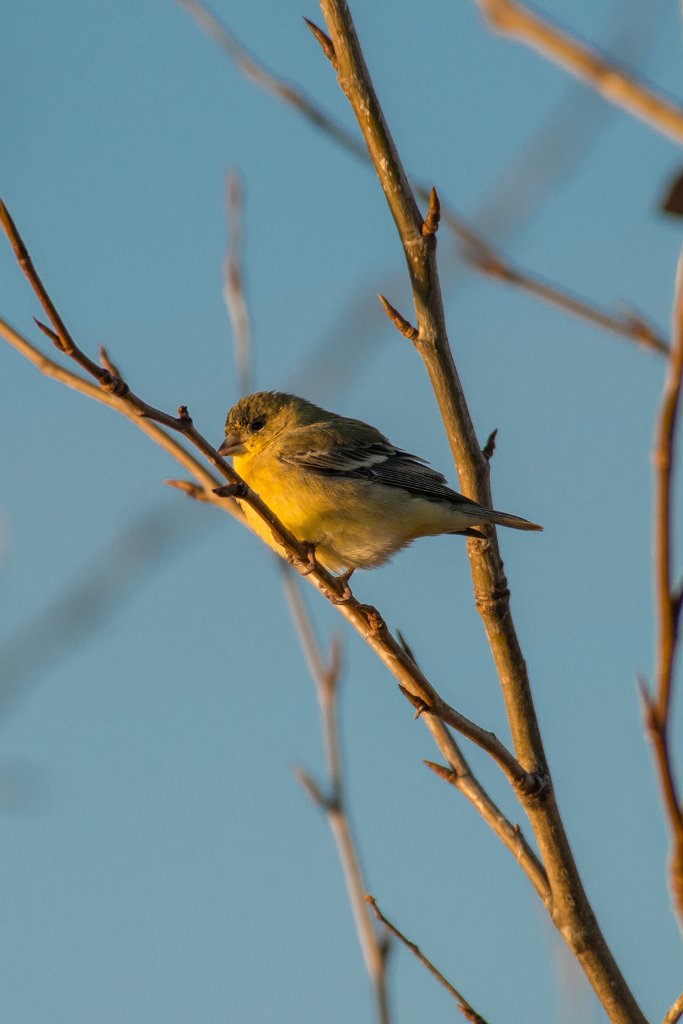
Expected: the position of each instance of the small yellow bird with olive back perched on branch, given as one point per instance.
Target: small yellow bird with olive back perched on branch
(341, 486)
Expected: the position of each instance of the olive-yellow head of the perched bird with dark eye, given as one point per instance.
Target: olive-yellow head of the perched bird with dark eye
(257, 420)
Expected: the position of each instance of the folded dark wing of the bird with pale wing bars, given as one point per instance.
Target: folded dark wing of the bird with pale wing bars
(356, 451)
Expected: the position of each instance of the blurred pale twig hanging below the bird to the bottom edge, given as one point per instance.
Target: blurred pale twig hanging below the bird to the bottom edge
(327, 677)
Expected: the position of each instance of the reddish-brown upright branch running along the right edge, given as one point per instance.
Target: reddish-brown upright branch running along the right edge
(668, 603)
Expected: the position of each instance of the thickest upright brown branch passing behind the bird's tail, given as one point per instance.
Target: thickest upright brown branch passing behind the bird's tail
(571, 909)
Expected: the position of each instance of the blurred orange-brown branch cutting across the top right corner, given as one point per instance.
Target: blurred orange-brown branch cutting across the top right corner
(616, 84)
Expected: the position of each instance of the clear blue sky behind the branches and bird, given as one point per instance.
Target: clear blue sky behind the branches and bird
(161, 863)
